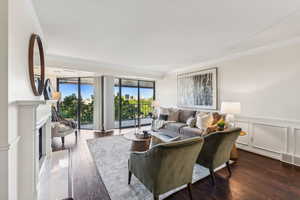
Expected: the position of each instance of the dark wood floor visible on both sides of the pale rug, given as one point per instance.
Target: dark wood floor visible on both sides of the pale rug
(253, 177)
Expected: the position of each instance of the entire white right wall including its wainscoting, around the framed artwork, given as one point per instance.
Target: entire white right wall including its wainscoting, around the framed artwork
(268, 86)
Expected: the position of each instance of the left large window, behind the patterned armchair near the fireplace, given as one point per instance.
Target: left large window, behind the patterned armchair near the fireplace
(77, 100)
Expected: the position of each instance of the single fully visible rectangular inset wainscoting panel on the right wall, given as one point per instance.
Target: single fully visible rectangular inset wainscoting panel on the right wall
(269, 137)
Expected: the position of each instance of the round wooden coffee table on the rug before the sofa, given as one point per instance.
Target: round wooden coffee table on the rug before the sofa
(138, 144)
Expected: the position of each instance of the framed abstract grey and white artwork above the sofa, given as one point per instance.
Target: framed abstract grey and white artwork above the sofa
(198, 89)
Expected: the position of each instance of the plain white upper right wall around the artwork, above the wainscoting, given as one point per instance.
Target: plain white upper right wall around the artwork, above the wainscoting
(266, 84)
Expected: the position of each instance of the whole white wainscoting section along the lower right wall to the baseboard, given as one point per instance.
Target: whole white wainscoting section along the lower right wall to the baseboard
(275, 138)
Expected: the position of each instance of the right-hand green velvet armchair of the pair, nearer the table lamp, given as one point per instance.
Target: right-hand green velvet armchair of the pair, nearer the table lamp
(216, 150)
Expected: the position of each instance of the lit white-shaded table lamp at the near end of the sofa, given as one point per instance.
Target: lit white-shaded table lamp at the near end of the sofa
(230, 109)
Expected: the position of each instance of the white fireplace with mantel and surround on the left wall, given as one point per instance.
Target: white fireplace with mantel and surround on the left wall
(34, 124)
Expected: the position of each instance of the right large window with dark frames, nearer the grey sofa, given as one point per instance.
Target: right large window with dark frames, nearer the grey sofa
(133, 102)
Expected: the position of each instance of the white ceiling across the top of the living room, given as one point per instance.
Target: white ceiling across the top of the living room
(160, 36)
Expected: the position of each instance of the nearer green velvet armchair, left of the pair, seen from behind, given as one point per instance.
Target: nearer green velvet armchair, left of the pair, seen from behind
(166, 166)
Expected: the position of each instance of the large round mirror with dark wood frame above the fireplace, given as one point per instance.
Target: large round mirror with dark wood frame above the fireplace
(36, 64)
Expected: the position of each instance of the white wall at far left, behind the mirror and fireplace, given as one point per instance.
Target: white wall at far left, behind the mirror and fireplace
(17, 22)
